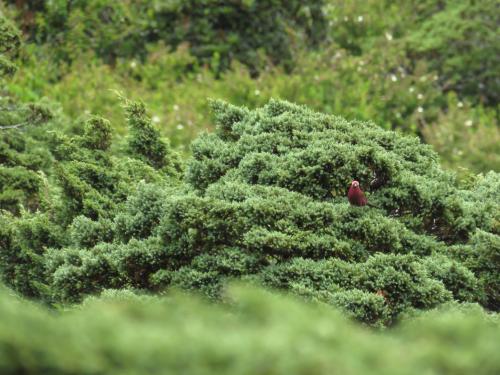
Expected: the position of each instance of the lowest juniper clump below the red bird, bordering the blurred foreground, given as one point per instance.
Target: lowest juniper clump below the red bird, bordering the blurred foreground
(375, 291)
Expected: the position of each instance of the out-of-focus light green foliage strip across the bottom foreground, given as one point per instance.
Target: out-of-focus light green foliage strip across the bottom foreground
(122, 333)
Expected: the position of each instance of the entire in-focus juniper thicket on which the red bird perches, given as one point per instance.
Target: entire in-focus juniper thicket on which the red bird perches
(262, 199)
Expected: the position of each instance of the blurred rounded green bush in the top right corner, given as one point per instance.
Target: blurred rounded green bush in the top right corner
(461, 44)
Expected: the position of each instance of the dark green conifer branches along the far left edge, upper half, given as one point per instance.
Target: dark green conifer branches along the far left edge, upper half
(21, 157)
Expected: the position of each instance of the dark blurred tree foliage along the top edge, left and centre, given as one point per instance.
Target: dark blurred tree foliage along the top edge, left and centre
(216, 31)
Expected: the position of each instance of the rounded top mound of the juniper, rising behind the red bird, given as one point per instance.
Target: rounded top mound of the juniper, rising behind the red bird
(323, 156)
